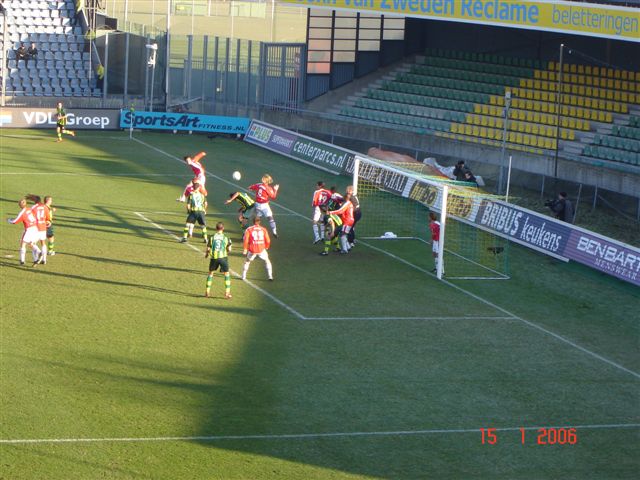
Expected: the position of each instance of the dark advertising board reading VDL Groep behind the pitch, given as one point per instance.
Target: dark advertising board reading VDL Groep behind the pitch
(77, 118)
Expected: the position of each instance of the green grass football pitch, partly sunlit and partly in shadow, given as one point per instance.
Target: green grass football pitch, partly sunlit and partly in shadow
(114, 365)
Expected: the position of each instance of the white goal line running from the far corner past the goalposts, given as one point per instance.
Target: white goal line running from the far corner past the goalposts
(460, 289)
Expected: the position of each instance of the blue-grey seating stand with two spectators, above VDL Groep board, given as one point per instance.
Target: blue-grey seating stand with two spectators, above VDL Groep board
(63, 66)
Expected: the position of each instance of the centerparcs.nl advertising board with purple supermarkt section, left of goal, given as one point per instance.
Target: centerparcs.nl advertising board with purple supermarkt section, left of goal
(299, 147)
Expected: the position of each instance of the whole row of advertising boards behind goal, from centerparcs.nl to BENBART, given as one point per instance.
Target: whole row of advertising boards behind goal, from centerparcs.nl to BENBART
(534, 230)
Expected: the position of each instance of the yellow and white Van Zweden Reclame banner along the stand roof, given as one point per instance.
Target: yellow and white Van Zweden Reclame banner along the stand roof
(596, 20)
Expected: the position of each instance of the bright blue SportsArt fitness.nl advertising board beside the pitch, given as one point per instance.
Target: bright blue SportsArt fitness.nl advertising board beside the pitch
(191, 122)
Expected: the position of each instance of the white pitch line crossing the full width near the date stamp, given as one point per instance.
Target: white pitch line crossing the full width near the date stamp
(290, 436)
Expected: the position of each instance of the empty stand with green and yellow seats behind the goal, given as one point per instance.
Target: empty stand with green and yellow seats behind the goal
(461, 95)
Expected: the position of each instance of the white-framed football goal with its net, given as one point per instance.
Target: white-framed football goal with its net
(396, 201)
